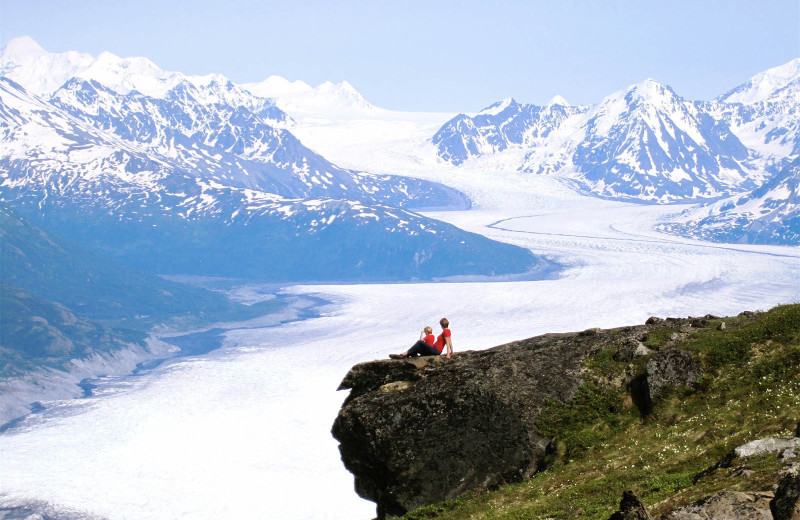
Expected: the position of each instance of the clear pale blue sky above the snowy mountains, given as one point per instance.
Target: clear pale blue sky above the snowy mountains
(447, 55)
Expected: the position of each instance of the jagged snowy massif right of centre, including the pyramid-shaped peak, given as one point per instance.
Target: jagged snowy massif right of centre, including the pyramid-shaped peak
(644, 143)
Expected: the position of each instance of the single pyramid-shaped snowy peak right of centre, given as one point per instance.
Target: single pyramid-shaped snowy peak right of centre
(648, 143)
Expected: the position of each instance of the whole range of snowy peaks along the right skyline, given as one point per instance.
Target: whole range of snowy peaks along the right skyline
(645, 143)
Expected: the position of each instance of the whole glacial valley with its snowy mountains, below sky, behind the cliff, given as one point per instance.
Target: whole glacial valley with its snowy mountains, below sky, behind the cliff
(325, 232)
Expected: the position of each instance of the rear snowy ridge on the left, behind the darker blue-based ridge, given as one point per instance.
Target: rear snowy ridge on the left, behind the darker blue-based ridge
(207, 125)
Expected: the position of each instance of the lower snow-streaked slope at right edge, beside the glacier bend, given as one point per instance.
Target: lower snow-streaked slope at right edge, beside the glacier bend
(767, 215)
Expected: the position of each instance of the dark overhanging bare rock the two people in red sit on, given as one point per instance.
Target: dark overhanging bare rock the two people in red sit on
(423, 431)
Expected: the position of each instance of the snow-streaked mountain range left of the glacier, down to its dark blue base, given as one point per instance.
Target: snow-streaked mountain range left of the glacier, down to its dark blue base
(183, 175)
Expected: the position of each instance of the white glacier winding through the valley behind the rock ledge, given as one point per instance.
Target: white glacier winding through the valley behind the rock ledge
(244, 432)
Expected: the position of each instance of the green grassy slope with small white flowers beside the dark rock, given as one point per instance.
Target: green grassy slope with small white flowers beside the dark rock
(751, 390)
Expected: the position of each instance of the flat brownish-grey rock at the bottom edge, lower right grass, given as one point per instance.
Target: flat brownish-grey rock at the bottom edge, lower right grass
(728, 505)
